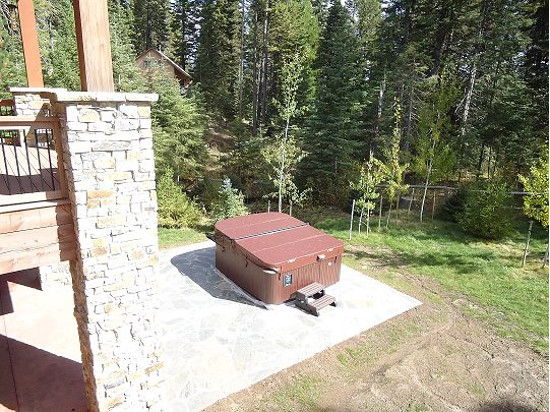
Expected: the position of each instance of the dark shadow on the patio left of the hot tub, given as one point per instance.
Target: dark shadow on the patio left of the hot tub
(200, 267)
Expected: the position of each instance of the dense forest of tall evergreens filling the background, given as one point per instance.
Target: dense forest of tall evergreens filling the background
(315, 100)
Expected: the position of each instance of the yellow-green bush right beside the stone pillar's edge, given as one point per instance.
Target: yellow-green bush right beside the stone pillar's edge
(176, 210)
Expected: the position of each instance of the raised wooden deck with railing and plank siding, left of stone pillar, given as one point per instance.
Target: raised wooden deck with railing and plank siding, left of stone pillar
(36, 224)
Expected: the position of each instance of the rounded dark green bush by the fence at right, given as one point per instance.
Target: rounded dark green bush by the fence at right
(487, 212)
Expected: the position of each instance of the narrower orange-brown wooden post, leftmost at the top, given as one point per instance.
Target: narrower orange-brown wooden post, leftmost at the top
(29, 38)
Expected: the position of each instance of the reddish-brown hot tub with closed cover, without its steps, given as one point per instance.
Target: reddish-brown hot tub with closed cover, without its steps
(272, 255)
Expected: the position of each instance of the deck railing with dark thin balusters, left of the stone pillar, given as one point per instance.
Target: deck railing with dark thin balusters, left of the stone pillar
(31, 166)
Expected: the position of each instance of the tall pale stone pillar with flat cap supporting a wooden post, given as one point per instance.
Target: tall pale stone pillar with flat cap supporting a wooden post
(108, 155)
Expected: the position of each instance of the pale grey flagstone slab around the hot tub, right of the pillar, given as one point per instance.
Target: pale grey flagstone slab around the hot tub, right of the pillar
(218, 342)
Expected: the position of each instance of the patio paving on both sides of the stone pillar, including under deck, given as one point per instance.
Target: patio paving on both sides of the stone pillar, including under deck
(217, 340)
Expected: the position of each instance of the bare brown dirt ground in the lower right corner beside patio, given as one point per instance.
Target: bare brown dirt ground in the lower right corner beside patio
(437, 357)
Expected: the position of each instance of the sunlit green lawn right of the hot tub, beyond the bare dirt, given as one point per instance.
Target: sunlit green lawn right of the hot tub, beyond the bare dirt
(513, 299)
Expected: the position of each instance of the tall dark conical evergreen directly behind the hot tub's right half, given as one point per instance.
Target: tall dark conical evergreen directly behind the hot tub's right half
(333, 136)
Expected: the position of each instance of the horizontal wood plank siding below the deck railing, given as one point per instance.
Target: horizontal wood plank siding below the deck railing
(36, 235)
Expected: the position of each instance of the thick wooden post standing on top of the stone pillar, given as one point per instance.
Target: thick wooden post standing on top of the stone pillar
(94, 45)
